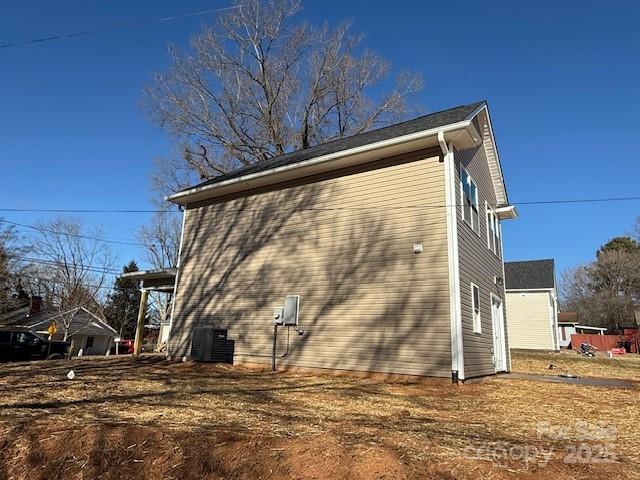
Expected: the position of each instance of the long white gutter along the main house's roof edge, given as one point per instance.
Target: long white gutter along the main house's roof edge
(177, 197)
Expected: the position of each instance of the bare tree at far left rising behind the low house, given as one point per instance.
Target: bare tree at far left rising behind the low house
(72, 267)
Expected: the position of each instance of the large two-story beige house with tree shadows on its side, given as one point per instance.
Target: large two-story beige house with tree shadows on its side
(391, 239)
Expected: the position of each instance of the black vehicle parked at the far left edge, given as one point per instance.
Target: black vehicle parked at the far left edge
(23, 345)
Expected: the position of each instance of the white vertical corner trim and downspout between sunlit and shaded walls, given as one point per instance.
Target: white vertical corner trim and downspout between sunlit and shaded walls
(455, 309)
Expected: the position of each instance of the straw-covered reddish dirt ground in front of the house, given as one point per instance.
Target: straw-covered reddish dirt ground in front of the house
(151, 419)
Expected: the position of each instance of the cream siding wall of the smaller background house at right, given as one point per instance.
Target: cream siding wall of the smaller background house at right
(529, 320)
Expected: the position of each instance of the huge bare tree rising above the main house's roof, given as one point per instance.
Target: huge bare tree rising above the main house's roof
(259, 83)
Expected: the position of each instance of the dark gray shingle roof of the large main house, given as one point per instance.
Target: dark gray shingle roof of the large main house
(426, 122)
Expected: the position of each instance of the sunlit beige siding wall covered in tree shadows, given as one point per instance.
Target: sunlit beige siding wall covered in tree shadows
(344, 243)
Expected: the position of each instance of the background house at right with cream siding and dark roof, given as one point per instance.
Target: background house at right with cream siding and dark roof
(532, 304)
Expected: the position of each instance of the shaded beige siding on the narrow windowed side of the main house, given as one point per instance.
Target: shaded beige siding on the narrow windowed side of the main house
(478, 265)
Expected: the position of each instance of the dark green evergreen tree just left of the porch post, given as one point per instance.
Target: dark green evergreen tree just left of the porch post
(123, 303)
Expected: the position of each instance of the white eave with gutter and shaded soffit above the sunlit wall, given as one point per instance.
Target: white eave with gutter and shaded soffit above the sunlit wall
(327, 162)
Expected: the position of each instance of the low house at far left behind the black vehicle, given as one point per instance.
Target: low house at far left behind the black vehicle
(86, 331)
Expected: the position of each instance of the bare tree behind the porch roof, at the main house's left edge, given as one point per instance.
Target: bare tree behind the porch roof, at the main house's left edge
(161, 241)
